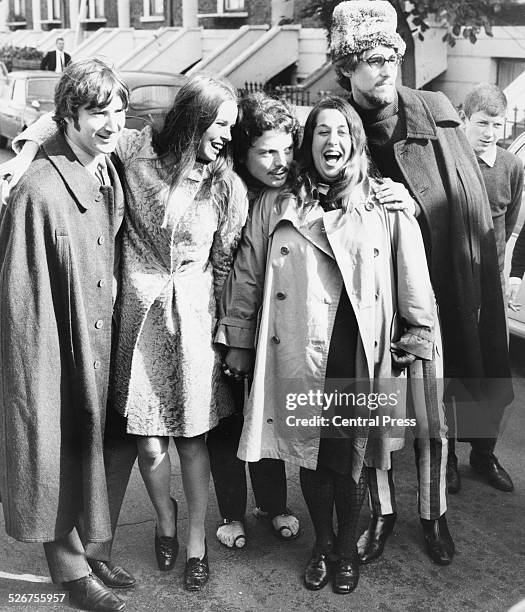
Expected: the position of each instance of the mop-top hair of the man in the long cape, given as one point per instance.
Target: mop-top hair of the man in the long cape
(88, 83)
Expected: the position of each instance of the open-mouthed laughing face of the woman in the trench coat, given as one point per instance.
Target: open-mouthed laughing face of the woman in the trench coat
(331, 144)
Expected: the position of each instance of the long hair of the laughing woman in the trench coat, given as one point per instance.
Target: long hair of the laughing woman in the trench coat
(355, 172)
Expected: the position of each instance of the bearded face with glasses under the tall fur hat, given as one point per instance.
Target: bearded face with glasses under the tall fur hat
(374, 87)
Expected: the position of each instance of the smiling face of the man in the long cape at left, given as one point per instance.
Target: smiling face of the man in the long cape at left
(97, 130)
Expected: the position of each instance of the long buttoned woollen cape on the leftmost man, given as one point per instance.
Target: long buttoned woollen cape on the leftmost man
(57, 244)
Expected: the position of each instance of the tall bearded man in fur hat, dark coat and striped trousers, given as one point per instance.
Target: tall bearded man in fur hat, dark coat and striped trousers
(415, 138)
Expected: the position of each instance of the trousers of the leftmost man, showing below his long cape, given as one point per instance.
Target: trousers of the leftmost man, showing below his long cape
(67, 556)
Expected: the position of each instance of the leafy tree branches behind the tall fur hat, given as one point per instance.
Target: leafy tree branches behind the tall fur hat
(462, 18)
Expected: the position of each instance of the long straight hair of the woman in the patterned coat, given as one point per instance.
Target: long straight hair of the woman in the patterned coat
(194, 109)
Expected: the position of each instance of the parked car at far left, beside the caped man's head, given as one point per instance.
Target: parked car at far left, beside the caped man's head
(25, 96)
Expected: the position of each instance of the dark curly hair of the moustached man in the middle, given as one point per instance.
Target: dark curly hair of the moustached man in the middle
(259, 113)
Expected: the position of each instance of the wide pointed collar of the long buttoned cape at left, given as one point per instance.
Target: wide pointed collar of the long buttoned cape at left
(81, 183)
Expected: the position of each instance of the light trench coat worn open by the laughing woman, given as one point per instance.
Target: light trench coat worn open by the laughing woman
(285, 288)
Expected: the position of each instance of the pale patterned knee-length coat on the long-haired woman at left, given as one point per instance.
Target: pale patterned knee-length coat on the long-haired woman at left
(177, 251)
